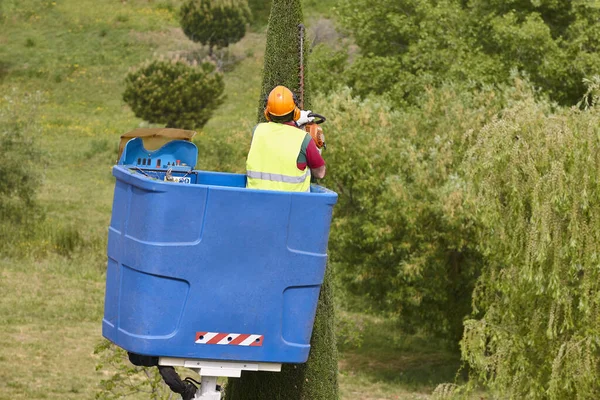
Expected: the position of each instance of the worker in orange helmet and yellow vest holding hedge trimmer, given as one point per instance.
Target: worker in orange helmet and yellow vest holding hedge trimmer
(281, 156)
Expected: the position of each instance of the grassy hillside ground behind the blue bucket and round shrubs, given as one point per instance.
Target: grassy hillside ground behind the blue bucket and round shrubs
(76, 53)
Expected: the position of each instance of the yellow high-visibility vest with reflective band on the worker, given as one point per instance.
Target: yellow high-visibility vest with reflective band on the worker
(271, 162)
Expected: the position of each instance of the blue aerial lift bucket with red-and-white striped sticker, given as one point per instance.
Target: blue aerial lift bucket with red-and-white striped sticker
(204, 268)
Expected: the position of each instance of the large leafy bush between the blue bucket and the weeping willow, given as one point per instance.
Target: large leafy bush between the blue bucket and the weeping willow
(401, 239)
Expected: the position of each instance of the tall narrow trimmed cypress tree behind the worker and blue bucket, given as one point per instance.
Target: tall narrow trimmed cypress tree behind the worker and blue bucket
(317, 378)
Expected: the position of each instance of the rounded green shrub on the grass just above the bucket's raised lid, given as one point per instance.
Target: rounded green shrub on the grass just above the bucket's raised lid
(174, 92)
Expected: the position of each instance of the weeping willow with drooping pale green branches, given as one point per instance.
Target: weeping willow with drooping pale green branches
(536, 330)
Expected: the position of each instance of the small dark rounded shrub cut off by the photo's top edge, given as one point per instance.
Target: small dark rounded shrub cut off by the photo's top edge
(215, 23)
